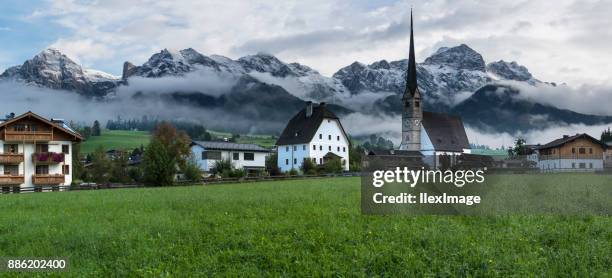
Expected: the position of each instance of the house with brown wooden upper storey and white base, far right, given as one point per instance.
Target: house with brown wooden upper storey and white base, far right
(580, 152)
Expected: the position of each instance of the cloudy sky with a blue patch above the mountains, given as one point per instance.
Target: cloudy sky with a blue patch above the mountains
(560, 41)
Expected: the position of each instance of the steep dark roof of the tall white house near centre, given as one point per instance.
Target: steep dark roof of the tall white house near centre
(302, 129)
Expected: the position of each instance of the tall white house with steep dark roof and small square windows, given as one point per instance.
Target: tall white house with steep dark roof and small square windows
(313, 133)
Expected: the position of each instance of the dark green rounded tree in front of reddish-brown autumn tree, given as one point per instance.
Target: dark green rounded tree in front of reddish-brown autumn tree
(159, 165)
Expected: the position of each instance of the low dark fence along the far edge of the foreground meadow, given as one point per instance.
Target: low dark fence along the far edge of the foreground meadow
(18, 189)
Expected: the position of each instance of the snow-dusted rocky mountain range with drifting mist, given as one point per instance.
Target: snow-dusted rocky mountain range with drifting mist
(263, 88)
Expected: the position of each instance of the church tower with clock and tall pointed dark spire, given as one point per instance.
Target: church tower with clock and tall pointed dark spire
(412, 113)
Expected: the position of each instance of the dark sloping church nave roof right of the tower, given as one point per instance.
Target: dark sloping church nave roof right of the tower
(446, 132)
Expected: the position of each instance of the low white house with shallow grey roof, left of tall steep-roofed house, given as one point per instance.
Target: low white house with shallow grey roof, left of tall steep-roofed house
(249, 157)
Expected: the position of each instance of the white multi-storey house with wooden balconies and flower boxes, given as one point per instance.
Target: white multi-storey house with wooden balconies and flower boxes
(35, 152)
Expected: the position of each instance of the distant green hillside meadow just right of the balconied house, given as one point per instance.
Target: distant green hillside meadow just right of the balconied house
(116, 139)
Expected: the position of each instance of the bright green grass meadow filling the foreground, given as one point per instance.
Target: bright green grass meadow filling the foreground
(283, 228)
